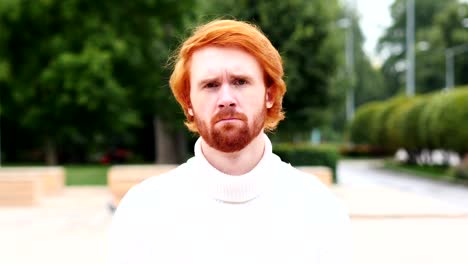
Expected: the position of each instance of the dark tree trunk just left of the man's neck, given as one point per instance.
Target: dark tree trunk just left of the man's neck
(166, 148)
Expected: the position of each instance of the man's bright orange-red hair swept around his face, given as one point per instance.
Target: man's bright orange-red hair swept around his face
(231, 33)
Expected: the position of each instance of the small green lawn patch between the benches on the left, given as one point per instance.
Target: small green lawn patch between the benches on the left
(86, 175)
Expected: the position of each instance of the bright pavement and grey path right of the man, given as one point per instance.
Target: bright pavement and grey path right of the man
(399, 218)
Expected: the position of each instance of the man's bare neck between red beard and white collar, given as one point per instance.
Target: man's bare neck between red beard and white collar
(236, 163)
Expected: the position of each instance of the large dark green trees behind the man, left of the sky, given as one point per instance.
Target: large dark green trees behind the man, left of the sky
(79, 75)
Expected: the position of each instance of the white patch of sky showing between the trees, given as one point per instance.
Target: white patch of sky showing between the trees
(374, 18)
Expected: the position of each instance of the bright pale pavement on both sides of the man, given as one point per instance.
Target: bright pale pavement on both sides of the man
(395, 220)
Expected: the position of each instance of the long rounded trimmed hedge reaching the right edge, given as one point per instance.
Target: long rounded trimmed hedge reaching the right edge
(435, 121)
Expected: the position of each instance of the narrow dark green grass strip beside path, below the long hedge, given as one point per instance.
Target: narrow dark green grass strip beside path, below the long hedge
(433, 172)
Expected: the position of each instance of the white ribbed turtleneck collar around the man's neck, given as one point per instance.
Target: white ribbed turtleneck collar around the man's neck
(234, 189)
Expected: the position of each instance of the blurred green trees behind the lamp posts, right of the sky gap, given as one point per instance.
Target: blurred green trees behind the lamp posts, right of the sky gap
(438, 27)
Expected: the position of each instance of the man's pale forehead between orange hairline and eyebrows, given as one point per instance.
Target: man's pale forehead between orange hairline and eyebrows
(211, 61)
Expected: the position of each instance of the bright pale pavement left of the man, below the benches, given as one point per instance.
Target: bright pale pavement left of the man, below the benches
(68, 228)
